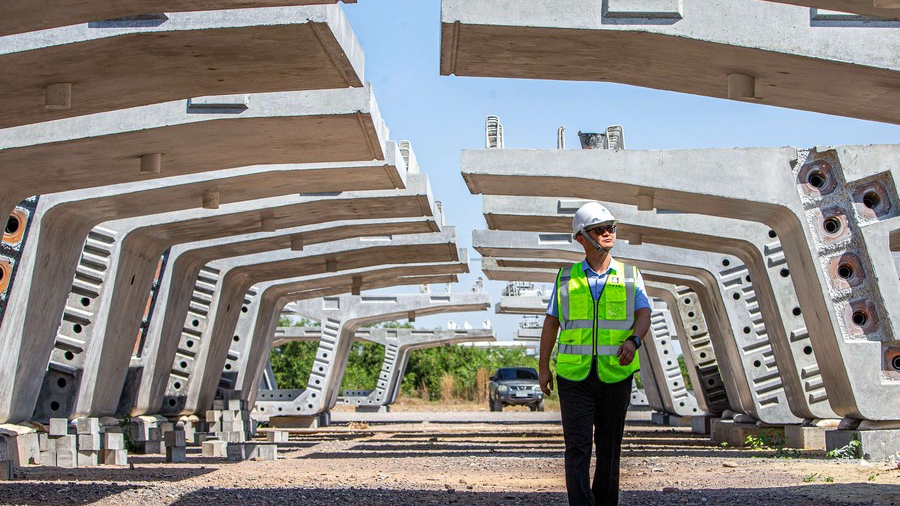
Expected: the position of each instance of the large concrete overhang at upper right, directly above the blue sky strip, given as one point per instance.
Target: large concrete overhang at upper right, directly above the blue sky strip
(748, 50)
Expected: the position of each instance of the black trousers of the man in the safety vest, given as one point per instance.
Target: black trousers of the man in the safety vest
(593, 412)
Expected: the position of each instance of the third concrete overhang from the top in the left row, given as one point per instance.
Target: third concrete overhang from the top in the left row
(180, 137)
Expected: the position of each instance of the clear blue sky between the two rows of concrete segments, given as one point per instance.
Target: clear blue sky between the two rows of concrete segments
(442, 115)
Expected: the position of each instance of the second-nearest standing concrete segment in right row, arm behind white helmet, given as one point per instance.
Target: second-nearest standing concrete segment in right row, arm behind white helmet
(756, 245)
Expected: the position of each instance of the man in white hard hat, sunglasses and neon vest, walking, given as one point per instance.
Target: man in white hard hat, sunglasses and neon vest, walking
(600, 311)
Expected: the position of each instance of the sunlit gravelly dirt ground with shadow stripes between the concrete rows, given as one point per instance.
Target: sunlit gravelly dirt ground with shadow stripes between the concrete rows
(473, 462)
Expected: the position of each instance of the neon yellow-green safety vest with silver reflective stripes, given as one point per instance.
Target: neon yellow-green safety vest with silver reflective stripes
(590, 328)
